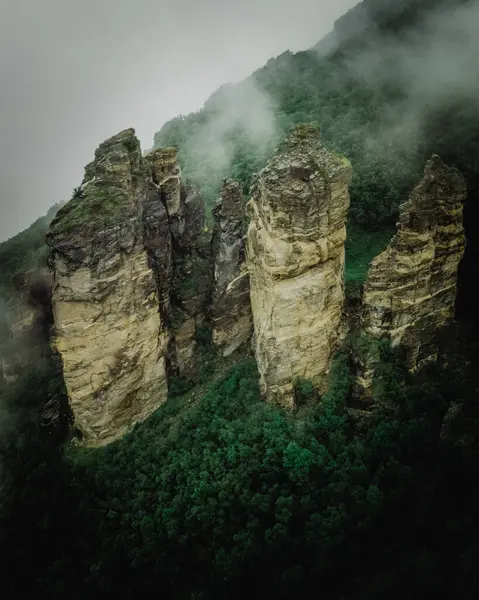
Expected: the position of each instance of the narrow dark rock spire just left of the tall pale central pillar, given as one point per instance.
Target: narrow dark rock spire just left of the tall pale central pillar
(231, 306)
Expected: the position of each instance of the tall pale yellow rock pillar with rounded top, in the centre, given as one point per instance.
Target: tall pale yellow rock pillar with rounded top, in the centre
(295, 256)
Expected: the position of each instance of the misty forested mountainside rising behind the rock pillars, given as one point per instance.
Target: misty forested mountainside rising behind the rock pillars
(381, 97)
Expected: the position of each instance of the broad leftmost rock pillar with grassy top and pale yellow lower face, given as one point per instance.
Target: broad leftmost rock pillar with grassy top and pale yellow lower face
(108, 329)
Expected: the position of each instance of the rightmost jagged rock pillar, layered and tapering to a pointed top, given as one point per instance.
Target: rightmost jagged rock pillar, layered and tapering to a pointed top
(410, 290)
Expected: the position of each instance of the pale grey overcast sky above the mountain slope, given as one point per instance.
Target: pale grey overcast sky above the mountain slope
(74, 72)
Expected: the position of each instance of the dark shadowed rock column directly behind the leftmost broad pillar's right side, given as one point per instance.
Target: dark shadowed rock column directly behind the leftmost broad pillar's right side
(182, 261)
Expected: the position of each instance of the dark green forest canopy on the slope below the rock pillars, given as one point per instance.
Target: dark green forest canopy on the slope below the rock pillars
(241, 495)
